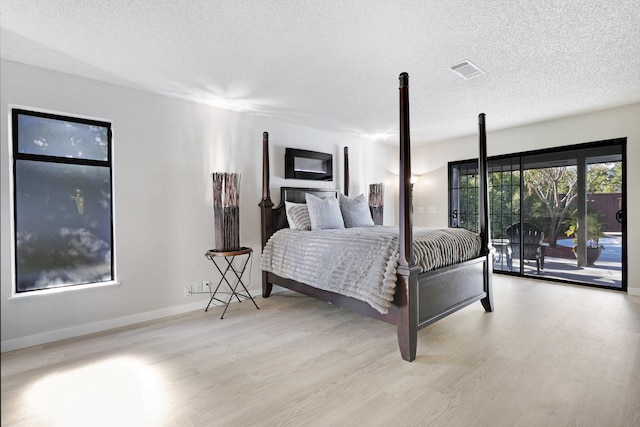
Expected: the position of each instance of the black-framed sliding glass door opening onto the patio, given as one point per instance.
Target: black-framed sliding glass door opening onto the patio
(555, 214)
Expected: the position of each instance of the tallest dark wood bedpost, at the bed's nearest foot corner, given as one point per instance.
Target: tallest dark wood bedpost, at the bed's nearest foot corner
(406, 287)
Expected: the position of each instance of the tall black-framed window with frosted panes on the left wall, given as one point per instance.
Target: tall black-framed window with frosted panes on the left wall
(62, 201)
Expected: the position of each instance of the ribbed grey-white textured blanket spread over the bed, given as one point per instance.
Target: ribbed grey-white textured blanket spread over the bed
(361, 262)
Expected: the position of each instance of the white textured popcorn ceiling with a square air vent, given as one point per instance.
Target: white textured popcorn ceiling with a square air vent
(334, 64)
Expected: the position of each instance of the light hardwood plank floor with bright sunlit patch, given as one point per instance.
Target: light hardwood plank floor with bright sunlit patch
(550, 355)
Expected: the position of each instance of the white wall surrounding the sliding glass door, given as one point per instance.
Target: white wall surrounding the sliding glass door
(431, 190)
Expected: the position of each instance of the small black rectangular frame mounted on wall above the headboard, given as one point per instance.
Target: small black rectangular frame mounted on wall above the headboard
(305, 164)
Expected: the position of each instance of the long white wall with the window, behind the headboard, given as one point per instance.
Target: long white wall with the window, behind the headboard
(164, 153)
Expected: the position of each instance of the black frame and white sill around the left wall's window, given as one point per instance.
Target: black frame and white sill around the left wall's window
(16, 156)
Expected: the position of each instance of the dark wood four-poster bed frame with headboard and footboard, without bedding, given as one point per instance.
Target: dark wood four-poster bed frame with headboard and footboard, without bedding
(420, 298)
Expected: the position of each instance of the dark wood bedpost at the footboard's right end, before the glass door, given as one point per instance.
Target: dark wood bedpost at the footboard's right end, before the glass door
(485, 221)
